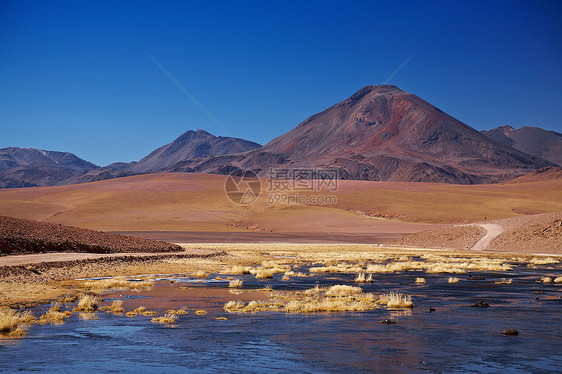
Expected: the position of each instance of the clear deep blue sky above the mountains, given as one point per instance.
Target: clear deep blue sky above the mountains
(76, 75)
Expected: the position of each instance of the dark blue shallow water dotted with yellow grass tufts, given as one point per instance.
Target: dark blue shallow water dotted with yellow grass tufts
(454, 338)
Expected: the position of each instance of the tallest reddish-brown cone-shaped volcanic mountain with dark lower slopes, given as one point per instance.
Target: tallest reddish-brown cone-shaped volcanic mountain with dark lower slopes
(384, 133)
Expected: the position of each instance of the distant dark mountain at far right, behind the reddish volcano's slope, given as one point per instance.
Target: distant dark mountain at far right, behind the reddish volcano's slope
(532, 140)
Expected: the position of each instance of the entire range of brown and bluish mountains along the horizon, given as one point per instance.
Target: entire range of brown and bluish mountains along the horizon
(379, 133)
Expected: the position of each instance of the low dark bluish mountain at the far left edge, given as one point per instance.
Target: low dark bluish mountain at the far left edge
(29, 167)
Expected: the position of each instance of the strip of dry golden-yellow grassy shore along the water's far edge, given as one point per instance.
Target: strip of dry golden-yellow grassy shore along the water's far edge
(27, 285)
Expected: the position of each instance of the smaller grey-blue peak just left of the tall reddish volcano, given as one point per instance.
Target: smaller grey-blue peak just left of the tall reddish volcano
(191, 145)
